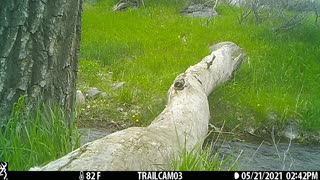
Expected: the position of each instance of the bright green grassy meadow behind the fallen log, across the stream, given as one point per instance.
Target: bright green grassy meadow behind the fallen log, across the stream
(144, 48)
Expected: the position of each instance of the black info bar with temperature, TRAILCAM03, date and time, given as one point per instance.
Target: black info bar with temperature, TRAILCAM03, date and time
(162, 175)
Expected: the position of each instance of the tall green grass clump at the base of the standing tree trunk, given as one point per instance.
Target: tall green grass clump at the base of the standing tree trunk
(32, 140)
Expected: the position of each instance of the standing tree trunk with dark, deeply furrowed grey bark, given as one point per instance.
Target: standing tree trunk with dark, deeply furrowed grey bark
(39, 47)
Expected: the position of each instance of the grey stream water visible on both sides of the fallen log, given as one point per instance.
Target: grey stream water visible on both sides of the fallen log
(251, 156)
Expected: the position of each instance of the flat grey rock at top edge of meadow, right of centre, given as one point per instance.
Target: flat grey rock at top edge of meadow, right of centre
(199, 10)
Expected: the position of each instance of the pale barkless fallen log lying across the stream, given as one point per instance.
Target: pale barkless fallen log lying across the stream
(182, 124)
